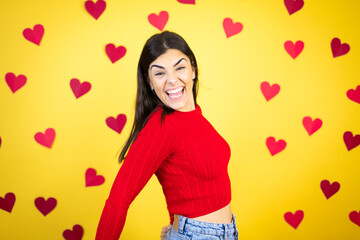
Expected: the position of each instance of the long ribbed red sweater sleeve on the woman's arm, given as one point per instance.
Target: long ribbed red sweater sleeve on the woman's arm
(154, 143)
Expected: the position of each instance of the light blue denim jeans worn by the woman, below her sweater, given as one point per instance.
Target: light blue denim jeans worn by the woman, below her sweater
(190, 229)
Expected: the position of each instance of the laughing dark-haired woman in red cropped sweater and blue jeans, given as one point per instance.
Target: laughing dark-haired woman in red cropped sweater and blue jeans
(171, 138)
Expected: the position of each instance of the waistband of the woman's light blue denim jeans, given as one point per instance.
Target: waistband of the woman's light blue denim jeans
(191, 225)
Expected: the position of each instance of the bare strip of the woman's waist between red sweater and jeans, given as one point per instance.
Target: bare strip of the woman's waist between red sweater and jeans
(223, 215)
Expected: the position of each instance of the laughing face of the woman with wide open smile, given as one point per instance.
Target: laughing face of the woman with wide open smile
(171, 76)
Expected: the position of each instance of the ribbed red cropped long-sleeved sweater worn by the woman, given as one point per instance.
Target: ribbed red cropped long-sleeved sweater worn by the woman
(190, 160)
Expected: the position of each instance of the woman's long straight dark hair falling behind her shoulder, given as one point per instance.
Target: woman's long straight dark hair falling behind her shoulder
(146, 101)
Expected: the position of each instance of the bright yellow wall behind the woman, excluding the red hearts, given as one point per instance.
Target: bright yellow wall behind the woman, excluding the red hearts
(264, 187)
